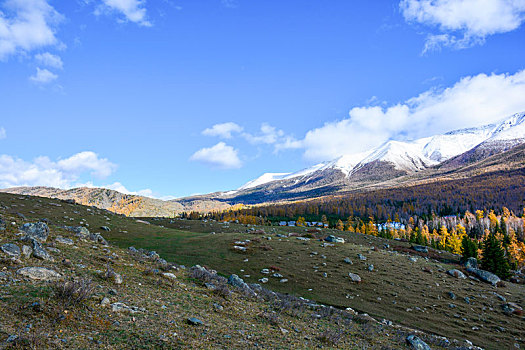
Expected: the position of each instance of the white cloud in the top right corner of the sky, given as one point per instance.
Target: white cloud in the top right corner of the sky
(472, 20)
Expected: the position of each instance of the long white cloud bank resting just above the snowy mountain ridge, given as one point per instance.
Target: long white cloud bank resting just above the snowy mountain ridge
(472, 101)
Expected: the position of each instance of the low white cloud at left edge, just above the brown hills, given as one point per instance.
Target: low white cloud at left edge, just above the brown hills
(44, 172)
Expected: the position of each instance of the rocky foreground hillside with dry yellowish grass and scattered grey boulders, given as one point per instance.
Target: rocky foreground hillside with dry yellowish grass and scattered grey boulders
(75, 291)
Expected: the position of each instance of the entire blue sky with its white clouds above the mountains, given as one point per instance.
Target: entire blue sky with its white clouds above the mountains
(172, 98)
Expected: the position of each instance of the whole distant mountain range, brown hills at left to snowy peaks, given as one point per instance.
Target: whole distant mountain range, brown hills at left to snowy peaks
(456, 154)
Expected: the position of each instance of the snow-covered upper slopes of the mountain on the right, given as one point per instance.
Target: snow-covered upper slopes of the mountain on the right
(395, 158)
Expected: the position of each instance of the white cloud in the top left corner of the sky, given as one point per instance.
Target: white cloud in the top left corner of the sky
(27, 25)
